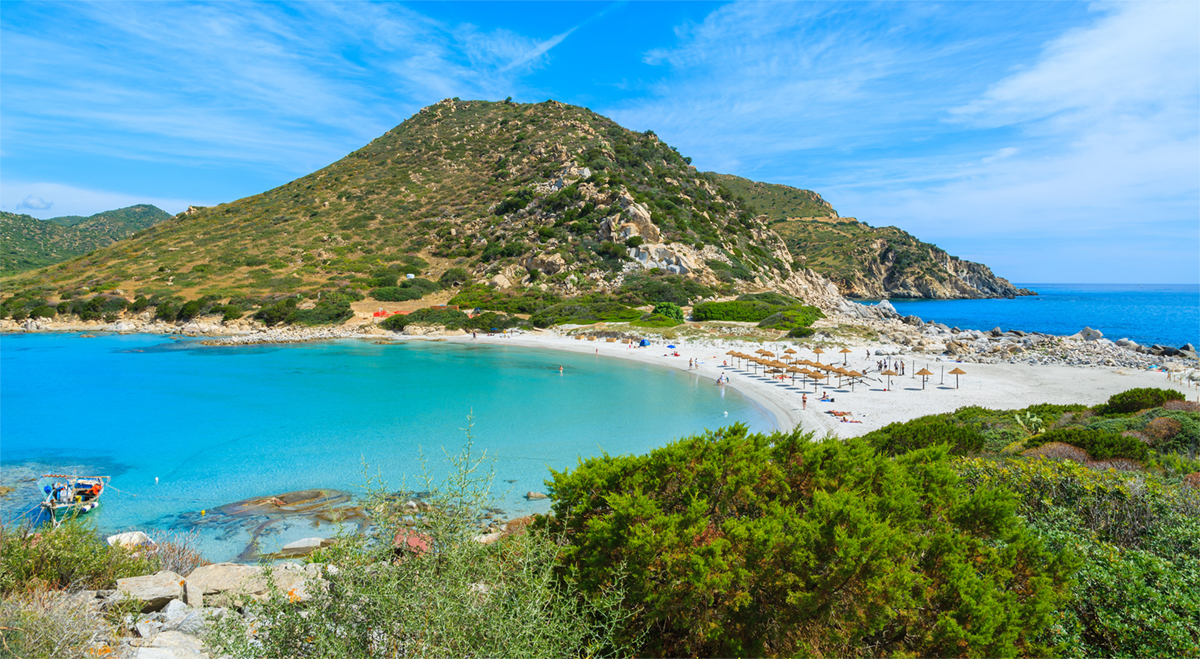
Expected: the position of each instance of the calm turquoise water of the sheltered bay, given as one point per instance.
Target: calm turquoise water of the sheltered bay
(218, 426)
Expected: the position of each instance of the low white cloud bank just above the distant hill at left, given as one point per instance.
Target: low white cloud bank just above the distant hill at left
(76, 201)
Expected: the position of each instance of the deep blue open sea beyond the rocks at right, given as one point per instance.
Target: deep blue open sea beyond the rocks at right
(1148, 314)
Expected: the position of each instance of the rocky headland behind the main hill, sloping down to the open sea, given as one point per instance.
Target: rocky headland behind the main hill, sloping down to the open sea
(865, 261)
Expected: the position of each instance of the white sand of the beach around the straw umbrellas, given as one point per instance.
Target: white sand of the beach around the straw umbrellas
(993, 386)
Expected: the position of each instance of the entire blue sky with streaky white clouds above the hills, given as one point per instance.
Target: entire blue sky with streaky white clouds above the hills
(1057, 142)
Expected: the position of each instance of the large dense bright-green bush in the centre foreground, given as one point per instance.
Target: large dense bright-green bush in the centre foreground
(743, 544)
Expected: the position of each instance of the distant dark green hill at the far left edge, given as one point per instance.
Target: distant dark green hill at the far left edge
(28, 243)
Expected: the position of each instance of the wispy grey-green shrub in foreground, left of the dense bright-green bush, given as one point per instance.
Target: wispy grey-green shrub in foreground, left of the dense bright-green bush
(458, 598)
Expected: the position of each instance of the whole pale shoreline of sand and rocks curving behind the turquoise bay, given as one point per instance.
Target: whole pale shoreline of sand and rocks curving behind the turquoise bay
(1011, 373)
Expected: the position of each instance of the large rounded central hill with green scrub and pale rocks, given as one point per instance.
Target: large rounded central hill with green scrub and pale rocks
(547, 196)
